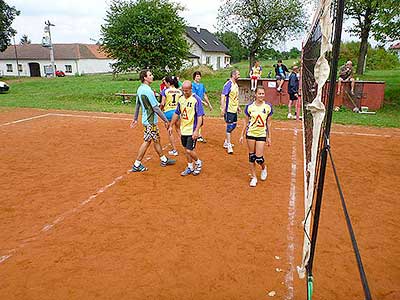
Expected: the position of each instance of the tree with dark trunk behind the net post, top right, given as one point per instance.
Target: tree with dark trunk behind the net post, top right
(381, 18)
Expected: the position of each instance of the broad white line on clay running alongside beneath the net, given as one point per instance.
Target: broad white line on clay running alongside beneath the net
(291, 220)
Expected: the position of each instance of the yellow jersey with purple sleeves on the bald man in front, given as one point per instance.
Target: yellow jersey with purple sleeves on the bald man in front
(189, 109)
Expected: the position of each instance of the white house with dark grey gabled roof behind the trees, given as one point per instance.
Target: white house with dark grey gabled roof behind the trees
(206, 49)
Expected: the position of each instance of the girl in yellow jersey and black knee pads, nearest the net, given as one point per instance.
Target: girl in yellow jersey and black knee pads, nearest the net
(257, 130)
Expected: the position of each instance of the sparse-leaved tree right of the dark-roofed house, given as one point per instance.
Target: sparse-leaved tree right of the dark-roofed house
(262, 23)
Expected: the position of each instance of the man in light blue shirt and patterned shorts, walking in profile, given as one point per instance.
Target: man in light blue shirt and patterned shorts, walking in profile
(146, 100)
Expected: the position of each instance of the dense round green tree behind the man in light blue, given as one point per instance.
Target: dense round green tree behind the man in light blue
(145, 34)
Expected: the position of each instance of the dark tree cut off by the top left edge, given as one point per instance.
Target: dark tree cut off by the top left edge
(7, 16)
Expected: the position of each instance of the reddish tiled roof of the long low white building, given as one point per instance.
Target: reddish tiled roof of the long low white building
(61, 51)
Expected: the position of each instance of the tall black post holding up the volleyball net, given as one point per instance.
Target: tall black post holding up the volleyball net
(323, 159)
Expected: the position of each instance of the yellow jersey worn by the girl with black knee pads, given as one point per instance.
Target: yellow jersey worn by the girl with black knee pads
(258, 116)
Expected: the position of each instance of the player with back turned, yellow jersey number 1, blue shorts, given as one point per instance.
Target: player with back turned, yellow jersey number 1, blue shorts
(169, 102)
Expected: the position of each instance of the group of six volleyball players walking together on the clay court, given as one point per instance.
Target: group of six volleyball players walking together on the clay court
(182, 112)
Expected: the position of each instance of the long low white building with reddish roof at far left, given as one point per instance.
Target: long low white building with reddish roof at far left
(34, 59)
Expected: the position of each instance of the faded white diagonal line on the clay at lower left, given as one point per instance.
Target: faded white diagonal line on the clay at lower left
(60, 218)
